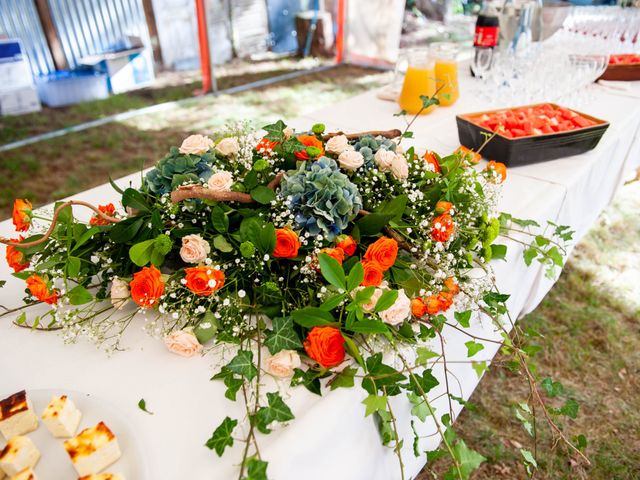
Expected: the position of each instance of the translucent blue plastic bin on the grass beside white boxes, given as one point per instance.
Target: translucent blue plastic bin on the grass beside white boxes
(67, 87)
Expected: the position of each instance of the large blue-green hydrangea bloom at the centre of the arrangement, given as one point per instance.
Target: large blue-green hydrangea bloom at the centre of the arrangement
(321, 197)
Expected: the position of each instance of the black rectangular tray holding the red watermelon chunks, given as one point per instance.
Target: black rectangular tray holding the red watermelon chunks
(533, 149)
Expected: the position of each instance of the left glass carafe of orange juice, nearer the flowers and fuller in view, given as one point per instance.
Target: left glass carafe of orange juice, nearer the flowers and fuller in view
(418, 81)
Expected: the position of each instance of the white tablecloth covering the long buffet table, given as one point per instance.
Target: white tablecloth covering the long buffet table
(187, 406)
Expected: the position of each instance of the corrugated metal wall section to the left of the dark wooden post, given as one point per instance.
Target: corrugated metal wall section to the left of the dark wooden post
(19, 19)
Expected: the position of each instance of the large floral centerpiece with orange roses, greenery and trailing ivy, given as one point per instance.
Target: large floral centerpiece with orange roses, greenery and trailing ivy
(317, 259)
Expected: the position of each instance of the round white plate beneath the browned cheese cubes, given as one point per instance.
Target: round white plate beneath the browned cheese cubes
(54, 464)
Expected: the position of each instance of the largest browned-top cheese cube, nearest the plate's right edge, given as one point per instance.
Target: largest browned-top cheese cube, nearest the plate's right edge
(93, 449)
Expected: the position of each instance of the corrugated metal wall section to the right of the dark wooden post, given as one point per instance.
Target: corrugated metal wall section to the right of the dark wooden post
(88, 27)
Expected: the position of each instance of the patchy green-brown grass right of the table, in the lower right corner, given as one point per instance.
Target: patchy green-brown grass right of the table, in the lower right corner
(591, 326)
